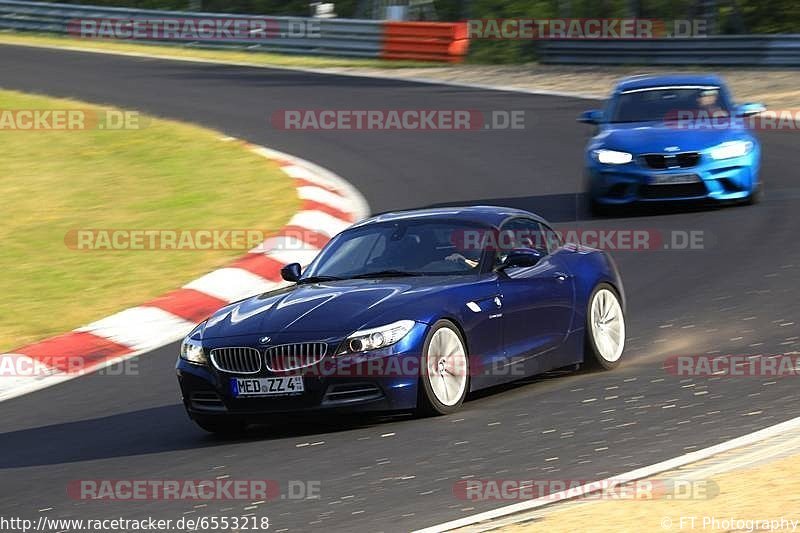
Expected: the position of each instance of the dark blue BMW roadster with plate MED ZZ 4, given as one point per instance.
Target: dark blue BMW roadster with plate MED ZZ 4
(407, 311)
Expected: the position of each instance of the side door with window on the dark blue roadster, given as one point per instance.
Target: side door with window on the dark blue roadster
(537, 301)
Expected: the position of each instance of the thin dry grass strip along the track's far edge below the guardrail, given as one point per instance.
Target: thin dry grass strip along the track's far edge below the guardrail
(255, 58)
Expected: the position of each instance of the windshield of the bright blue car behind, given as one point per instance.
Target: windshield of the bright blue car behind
(662, 104)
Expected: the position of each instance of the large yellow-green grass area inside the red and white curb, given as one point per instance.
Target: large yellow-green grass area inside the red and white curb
(163, 175)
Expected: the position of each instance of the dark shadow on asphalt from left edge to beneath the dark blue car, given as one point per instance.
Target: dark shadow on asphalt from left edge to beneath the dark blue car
(147, 431)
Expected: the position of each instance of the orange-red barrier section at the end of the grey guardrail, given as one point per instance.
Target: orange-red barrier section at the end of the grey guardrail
(425, 41)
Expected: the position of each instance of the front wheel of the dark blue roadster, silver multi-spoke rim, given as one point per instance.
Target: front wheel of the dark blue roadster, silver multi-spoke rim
(445, 370)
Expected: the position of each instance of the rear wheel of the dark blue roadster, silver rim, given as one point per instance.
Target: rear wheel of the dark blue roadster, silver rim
(605, 328)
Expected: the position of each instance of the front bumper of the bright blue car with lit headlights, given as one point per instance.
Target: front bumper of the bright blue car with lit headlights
(725, 180)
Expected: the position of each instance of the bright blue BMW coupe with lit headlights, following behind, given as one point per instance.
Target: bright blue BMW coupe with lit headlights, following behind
(672, 138)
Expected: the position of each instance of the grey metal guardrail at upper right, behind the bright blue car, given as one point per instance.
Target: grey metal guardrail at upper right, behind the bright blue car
(780, 50)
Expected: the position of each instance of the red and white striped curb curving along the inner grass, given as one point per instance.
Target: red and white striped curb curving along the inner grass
(328, 205)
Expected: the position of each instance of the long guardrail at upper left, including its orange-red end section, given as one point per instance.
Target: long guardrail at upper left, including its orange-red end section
(335, 37)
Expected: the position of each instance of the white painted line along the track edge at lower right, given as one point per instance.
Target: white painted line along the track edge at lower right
(633, 475)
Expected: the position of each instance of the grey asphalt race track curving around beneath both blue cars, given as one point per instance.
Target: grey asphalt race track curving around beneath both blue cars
(738, 295)
